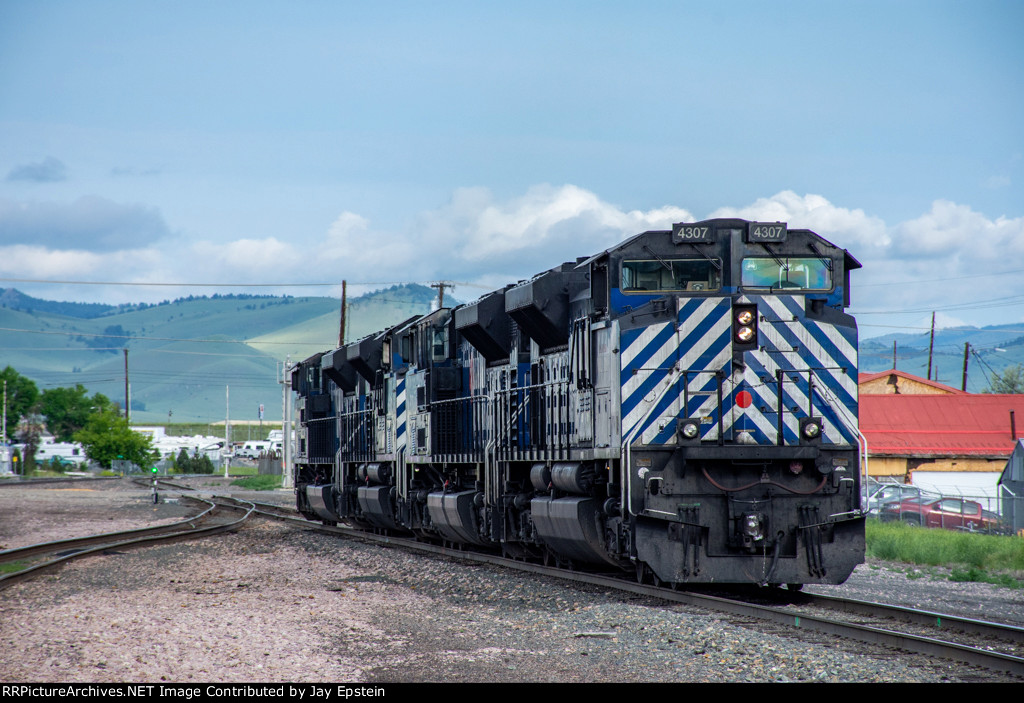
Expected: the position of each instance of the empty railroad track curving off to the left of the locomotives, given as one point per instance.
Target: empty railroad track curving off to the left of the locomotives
(26, 562)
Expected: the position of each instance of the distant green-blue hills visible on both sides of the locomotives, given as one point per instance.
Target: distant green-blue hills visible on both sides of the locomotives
(202, 358)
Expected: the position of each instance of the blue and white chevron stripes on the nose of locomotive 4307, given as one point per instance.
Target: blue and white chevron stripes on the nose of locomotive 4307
(667, 365)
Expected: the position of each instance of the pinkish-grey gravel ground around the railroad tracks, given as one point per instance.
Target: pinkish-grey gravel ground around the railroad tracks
(273, 603)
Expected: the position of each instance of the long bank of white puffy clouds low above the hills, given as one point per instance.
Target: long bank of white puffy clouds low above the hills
(931, 262)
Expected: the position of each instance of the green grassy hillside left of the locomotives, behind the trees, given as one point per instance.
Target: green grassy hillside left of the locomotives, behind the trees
(197, 360)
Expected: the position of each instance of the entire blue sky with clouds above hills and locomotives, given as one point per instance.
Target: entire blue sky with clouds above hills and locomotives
(286, 147)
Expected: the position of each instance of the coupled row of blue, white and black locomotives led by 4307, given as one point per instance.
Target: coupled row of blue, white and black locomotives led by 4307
(684, 405)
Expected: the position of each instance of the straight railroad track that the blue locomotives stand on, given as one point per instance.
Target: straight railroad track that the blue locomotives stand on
(994, 646)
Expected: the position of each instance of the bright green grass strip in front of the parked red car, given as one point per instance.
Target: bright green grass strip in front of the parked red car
(972, 557)
